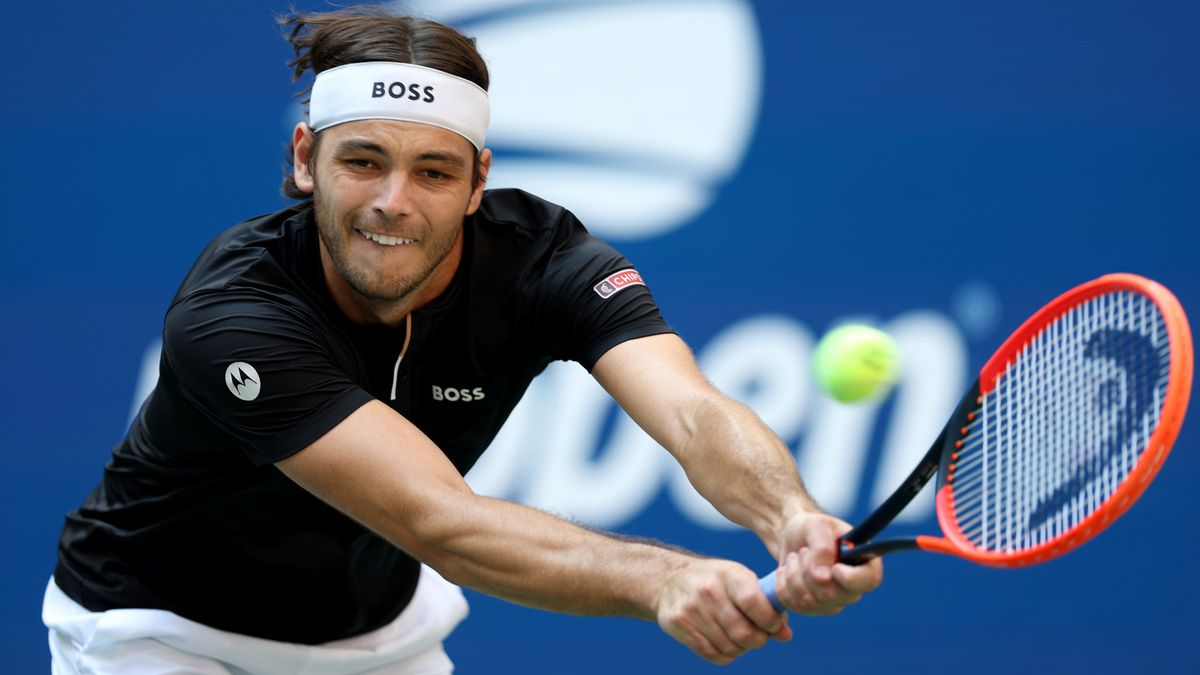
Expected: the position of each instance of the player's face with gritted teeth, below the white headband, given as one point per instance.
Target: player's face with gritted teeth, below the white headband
(391, 199)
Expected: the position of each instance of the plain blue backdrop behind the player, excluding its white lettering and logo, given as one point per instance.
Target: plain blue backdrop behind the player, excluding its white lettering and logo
(902, 151)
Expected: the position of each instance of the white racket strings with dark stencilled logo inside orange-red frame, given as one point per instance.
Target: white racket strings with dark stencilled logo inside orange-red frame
(1065, 425)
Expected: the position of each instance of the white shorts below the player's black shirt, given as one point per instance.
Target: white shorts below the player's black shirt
(145, 642)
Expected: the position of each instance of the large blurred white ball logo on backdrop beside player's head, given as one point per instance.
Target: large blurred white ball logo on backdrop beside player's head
(632, 115)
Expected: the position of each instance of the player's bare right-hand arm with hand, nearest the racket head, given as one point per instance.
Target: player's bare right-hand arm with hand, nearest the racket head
(740, 465)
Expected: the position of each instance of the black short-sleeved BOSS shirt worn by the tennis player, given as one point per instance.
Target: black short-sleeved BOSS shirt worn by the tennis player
(257, 363)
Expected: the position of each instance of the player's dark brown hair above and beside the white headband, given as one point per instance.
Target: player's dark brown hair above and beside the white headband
(327, 40)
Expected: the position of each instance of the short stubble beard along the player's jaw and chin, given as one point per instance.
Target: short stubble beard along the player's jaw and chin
(373, 285)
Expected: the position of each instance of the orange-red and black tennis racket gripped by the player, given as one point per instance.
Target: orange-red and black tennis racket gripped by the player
(1065, 428)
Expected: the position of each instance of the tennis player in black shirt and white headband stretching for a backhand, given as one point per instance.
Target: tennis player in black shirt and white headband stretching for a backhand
(291, 499)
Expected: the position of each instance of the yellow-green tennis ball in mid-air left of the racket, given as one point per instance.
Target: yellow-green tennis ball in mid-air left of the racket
(856, 362)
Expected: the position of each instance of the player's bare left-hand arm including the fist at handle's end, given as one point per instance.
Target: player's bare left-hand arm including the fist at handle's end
(381, 470)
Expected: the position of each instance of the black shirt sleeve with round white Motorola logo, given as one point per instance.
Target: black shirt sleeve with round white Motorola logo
(262, 371)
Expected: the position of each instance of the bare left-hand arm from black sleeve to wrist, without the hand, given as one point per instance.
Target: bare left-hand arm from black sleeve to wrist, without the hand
(382, 471)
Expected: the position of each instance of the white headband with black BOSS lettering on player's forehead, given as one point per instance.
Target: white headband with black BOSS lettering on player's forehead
(399, 92)
